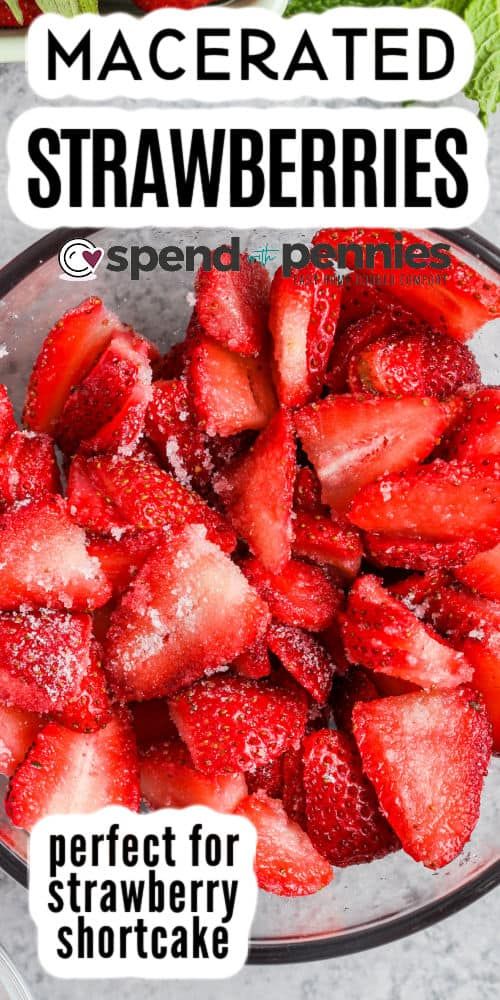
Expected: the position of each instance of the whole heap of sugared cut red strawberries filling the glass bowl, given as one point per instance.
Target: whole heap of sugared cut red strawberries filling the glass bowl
(267, 578)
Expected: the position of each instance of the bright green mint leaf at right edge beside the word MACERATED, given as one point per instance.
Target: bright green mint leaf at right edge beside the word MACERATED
(483, 18)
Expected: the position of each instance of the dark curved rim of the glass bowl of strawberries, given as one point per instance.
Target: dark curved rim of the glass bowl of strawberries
(326, 946)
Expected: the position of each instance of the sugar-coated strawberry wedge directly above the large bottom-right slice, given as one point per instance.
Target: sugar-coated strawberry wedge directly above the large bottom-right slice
(382, 634)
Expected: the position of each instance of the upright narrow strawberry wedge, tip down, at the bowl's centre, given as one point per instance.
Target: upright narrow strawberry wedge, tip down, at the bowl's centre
(257, 492)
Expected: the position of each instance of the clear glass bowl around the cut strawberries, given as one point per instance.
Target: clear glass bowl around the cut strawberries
(365, 905)
